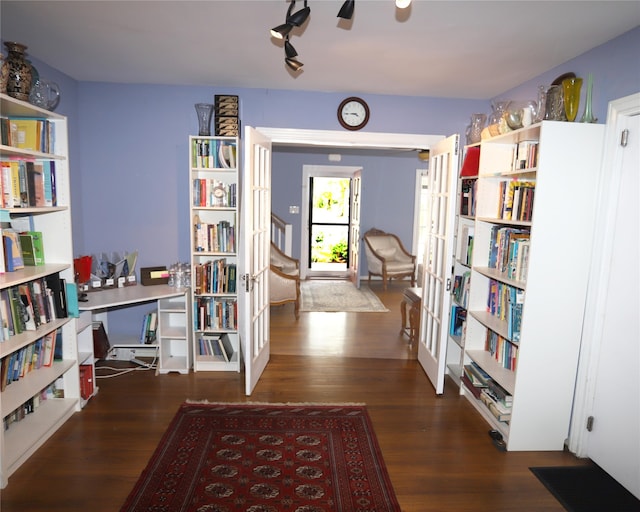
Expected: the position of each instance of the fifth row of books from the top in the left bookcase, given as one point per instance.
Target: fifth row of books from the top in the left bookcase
(41, 353)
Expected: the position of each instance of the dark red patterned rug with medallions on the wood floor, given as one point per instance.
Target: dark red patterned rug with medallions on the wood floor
(218, 457)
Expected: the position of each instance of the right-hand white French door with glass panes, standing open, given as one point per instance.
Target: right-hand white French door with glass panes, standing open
(438, 257)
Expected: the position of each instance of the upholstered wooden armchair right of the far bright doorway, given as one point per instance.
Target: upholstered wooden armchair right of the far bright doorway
(387, 257)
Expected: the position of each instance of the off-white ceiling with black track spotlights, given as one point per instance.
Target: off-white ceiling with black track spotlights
(458, 49)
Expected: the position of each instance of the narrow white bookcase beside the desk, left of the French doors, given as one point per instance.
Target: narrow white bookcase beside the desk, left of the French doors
(214, 201)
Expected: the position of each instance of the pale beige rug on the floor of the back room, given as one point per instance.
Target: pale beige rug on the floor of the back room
(333, 296)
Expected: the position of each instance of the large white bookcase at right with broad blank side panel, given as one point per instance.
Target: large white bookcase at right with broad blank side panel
(564, 171)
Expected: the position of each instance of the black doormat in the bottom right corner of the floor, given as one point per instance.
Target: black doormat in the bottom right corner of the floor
(586, 489)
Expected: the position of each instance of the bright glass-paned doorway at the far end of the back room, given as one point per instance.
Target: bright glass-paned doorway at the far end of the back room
(328, 201)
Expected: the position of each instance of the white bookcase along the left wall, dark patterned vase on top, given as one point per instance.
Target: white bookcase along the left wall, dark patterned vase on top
(22, 438)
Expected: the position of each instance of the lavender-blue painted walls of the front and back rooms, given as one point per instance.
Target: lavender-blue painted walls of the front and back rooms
(129, 163)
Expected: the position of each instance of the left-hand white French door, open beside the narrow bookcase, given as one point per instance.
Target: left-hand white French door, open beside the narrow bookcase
(255, 233)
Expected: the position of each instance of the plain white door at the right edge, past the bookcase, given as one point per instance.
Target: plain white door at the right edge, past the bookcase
(613, 440)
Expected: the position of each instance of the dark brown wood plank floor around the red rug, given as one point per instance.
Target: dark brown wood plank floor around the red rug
(437, 450)
